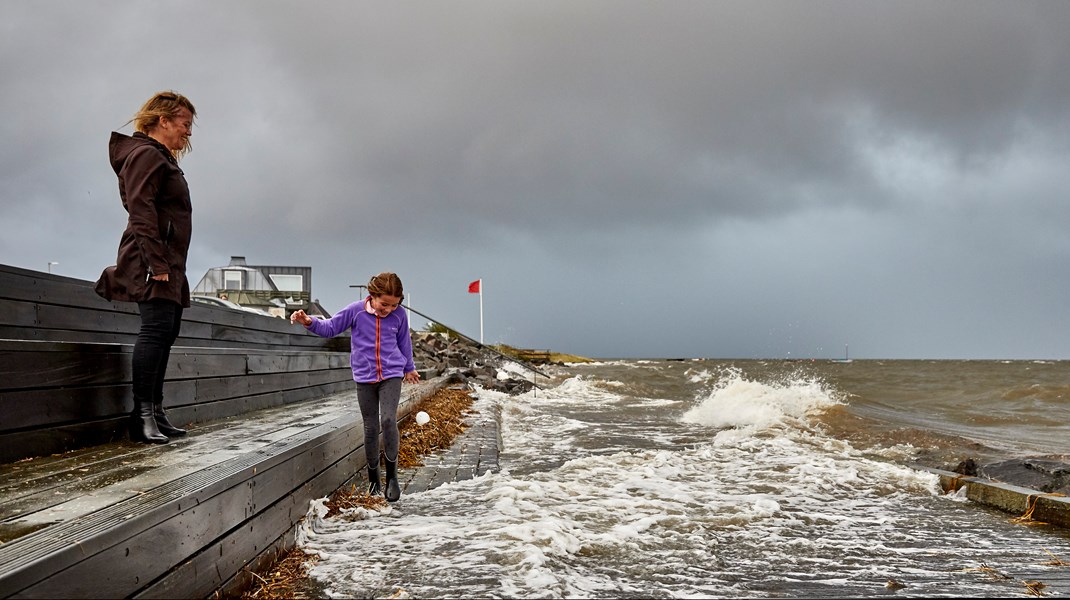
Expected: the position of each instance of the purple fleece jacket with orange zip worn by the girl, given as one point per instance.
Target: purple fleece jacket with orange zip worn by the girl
(381, 348)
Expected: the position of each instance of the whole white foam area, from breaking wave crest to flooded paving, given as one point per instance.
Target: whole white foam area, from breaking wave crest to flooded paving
(753, 510)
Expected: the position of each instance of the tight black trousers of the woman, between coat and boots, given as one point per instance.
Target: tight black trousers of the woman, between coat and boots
(161, 321)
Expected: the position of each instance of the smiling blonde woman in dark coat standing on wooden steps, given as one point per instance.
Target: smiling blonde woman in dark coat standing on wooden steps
(151, 267)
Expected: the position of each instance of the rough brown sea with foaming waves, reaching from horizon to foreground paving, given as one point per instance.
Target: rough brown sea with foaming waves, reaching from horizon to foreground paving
(709, 479)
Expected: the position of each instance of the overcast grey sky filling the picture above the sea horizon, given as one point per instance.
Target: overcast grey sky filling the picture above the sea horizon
(630, 179)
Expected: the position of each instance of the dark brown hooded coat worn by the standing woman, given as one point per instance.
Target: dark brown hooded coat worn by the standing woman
(157, 241)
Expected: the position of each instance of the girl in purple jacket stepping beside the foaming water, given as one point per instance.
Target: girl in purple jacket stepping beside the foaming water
(381, 359)
